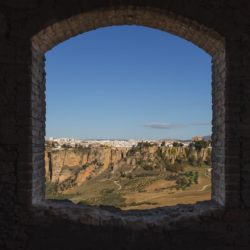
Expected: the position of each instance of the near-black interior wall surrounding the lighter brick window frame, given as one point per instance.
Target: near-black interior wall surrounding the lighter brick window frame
(23, 227)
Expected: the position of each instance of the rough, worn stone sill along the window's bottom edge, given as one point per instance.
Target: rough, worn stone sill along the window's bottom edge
(171, 217)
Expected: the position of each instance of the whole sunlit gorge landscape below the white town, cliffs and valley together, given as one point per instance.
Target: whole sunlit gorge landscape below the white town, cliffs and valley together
(143, 176)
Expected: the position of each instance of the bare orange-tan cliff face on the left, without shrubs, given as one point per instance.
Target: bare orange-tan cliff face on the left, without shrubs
(76, 165)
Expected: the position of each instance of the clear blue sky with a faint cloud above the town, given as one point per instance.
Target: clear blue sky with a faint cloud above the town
(128, 82)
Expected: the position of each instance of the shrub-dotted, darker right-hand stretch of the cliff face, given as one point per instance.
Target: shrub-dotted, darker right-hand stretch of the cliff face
(156, 158)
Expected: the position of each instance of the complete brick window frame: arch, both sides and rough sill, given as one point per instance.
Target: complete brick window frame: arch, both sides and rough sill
(203, 37)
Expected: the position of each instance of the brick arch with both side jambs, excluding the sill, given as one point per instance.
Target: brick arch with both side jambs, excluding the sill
(205, 38)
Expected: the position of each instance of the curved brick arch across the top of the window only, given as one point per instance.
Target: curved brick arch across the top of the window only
(205, 38)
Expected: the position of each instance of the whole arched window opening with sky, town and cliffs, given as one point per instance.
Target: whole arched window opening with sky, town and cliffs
(128, 120)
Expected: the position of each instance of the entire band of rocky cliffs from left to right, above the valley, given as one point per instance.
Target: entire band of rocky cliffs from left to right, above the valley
(70, 167)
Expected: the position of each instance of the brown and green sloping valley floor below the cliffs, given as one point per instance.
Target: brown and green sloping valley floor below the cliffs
(139, 192)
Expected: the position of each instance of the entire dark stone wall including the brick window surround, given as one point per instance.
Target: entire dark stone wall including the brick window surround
(31, 27)
